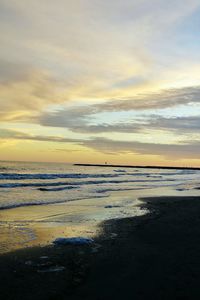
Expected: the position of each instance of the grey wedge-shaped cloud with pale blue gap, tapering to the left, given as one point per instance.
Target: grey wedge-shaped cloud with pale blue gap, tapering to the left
(83, 118)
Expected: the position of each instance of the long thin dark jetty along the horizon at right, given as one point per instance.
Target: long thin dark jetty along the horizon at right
(138, 167)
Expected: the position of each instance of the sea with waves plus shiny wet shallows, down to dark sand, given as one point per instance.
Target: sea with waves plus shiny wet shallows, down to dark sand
(64, 195)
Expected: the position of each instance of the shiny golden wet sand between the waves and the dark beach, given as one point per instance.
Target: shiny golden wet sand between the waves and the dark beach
(39, 225)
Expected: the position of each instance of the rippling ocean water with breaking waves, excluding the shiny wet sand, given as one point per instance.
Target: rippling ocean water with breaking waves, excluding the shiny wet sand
(23, 184)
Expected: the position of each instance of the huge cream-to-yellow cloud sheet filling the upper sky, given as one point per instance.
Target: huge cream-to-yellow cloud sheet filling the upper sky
(85, 50)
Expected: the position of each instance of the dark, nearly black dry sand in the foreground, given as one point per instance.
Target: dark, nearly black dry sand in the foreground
(156, 256)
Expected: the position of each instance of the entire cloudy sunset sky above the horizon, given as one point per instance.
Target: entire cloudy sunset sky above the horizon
(95, 81)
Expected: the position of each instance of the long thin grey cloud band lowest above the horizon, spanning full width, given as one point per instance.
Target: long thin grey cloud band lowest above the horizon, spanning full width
(189, 149)
